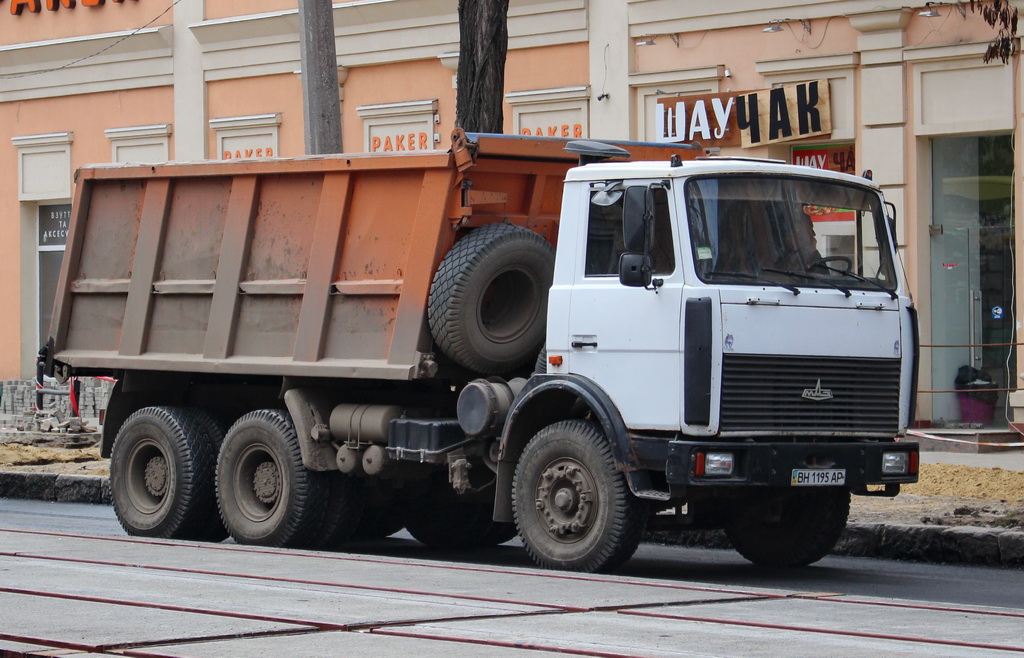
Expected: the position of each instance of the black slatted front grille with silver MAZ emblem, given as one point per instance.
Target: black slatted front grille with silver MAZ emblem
(767, 394)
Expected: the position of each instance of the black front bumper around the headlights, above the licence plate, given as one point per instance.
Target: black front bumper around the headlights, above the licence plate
(773, 464)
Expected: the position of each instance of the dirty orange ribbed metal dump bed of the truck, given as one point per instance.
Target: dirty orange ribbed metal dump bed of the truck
(314, 267)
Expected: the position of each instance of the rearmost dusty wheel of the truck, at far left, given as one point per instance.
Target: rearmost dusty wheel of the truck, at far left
(162, 475)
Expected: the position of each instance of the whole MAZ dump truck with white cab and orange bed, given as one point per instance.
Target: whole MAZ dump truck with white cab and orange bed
(573, 342)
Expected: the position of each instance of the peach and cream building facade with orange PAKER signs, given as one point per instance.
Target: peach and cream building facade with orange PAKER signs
(845, 84)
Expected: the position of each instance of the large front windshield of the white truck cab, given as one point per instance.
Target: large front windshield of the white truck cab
(754, 231)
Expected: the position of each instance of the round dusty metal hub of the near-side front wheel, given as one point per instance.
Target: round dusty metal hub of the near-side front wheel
(566, 500)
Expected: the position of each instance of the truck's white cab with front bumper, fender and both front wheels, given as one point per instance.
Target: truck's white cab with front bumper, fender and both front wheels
(742, 334)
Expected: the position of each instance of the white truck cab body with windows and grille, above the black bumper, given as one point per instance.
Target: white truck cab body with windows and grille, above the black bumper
(766, 281)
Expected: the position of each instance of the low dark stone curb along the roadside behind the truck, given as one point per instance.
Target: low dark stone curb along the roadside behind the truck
(963, 545)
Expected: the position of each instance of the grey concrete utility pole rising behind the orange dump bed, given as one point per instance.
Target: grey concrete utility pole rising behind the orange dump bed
(322, 109)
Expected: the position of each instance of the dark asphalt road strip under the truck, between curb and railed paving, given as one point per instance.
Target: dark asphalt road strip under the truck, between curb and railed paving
(943, 585)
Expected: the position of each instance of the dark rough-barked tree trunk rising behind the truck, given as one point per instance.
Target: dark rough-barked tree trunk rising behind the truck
(484, 45)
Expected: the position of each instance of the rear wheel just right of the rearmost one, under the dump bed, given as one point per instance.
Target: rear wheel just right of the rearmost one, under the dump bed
(267, 496)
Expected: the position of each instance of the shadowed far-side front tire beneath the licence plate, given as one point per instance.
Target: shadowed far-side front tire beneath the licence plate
(798, 531)
